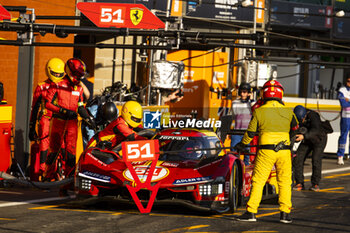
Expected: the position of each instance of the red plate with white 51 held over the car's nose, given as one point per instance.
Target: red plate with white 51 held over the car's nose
(140, 150)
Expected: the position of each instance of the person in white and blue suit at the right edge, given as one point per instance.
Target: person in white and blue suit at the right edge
(344, 99)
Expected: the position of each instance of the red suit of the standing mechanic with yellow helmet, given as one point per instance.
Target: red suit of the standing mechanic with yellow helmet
(43, 117)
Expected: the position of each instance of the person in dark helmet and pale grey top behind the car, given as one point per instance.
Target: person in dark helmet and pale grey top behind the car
(242, 113)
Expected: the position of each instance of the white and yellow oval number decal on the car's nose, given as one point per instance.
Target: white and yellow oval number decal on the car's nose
(142, 172)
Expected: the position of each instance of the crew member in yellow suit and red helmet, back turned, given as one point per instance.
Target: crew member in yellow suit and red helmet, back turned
(274, 122)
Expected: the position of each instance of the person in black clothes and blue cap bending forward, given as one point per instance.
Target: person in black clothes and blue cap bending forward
(315, 140)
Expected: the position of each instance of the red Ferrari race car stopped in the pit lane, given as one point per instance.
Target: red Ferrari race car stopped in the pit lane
(193, 169)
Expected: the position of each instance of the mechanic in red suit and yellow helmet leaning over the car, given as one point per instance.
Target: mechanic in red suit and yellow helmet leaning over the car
(124, 128)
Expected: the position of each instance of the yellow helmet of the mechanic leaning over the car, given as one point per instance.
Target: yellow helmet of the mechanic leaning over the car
(132, 113)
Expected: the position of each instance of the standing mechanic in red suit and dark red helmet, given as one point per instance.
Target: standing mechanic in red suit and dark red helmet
(65, 100)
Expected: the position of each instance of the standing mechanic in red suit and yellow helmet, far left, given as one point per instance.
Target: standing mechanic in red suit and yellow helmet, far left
(54, 72)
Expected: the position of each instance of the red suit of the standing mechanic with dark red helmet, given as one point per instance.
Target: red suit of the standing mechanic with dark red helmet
(64, 95)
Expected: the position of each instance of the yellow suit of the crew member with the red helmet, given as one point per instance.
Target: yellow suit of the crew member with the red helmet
(273, 121)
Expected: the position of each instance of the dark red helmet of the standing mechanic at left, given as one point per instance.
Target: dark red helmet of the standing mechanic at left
(75, 69)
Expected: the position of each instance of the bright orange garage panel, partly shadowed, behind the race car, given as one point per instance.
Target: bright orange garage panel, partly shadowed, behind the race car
(202, 72)
